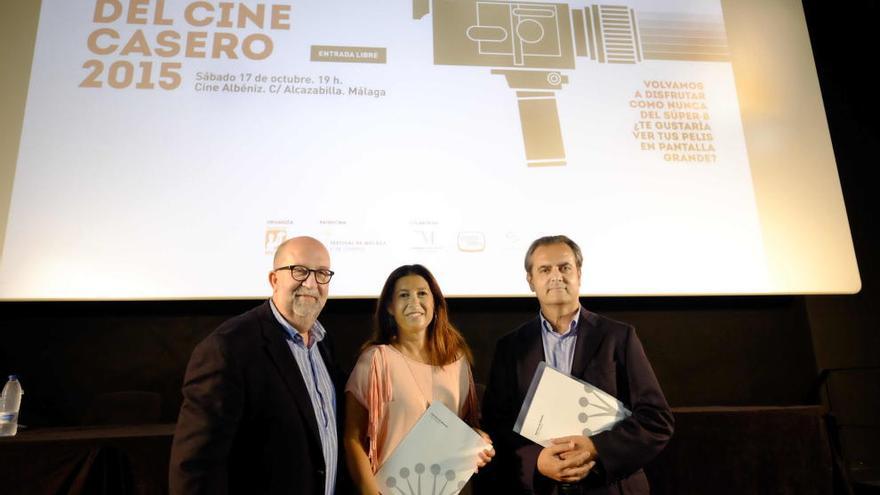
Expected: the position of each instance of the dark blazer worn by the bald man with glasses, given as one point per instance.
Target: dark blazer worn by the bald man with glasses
(247, 424)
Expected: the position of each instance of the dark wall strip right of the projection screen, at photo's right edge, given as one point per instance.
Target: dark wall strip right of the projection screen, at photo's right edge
(845, 328)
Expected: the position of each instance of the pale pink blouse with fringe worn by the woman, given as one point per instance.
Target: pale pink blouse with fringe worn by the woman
(395, 390)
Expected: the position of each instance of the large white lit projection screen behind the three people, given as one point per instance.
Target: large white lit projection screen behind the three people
(162, 149)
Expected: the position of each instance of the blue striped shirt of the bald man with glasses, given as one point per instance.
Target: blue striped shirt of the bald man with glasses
(320, 388)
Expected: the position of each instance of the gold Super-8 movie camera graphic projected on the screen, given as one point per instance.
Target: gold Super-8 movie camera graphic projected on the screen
(532, 44)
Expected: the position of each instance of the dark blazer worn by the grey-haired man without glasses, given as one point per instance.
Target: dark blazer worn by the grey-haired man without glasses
(608, 354)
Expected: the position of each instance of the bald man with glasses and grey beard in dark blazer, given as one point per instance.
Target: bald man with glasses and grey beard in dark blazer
(260, 392)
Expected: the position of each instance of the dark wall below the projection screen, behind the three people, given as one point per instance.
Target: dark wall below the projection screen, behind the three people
(706, 351)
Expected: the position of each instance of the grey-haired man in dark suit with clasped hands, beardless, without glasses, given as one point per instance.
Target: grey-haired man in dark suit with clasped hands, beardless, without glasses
(598, 350)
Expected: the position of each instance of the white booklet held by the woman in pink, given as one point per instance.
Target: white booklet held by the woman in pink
(437, 457)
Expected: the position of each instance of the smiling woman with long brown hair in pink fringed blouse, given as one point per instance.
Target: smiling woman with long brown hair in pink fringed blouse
(415, 357)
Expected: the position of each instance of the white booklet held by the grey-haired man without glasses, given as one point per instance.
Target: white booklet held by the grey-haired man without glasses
(559, 405)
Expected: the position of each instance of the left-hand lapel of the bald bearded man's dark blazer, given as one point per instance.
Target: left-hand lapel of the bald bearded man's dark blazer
(275, 344)
